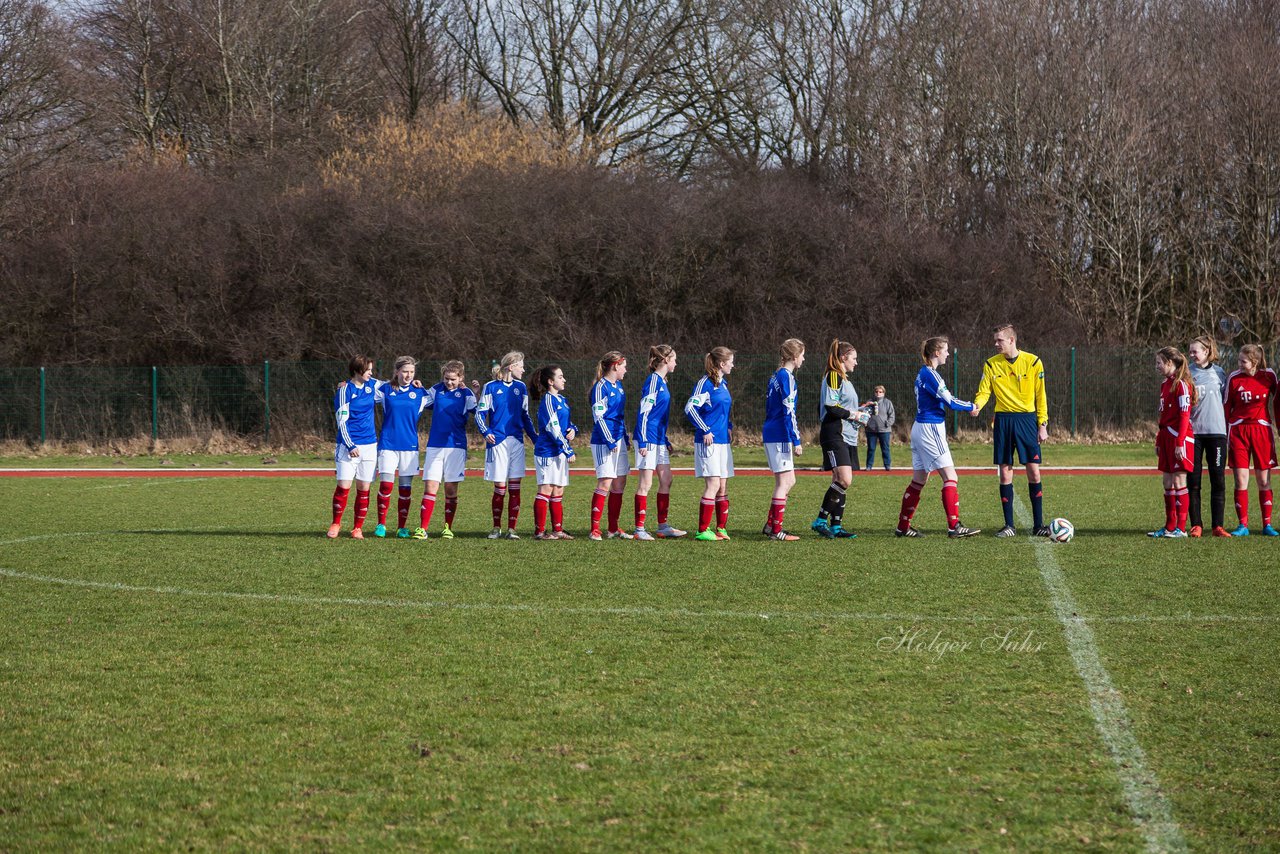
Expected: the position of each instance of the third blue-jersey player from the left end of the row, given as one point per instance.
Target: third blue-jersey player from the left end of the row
(446, 462)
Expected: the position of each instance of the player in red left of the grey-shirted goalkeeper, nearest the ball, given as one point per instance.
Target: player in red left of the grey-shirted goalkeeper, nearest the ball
(1174, 442)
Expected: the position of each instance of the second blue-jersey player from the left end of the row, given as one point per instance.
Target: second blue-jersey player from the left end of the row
(397, 445)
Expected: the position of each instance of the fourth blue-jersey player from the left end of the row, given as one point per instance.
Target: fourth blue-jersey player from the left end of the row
(504, 419)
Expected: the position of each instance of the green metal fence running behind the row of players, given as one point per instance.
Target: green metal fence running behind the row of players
(1089, 390)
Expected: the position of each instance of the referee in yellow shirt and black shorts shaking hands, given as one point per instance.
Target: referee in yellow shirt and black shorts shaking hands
(1022, 414)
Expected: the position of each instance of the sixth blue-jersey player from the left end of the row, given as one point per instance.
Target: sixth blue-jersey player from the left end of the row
(610, 441)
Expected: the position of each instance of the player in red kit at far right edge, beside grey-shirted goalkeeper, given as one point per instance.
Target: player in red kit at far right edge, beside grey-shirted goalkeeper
(1249, 433)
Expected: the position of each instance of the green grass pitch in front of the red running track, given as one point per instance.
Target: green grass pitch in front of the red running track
(191, 664)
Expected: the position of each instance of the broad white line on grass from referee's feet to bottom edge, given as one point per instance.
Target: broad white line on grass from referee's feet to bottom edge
(1149, 805)
